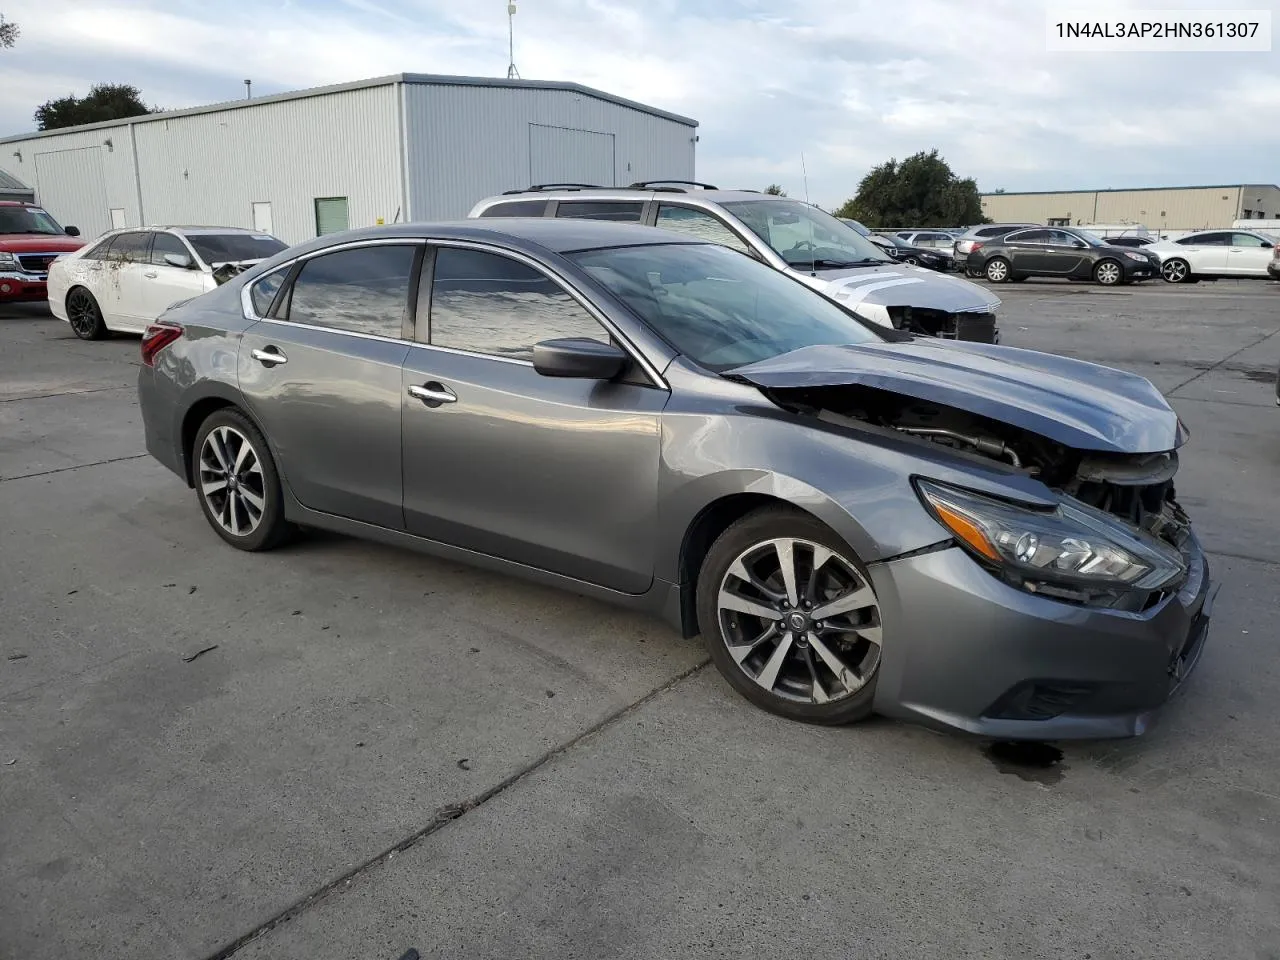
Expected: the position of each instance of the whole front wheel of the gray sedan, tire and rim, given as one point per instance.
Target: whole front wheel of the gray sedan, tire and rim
(790, 618)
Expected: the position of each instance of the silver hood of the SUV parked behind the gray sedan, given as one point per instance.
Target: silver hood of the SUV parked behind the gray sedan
(902, 285)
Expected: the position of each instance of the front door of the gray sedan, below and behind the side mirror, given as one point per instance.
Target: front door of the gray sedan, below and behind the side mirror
(556, 474)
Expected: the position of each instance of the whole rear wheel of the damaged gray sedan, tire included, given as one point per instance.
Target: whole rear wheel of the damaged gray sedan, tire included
(237, 484)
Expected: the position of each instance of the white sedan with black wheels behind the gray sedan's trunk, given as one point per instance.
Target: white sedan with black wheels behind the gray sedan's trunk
(127, 278)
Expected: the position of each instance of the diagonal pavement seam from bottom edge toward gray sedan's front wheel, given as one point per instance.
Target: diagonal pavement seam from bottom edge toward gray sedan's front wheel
(447, 815)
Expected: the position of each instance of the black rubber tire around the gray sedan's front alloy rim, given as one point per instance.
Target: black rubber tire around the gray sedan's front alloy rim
(755, 533)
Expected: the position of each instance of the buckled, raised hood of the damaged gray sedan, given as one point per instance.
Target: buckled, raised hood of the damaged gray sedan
(1085, 406)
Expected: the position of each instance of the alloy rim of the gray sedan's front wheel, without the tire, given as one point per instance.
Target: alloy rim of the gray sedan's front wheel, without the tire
(801, 621)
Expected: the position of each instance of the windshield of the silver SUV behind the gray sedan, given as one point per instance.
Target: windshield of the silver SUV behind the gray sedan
(804, 236)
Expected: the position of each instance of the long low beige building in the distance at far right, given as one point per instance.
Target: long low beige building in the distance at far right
(1156, 208)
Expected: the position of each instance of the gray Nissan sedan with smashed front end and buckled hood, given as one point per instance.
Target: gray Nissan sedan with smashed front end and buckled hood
(854, 519)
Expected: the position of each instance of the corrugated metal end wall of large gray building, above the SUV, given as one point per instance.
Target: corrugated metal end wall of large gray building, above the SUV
(469, 143)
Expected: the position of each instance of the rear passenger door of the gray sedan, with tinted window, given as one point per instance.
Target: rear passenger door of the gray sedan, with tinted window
(323, 378)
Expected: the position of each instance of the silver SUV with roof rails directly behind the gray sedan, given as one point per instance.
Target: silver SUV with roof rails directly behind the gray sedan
(790, 236)
